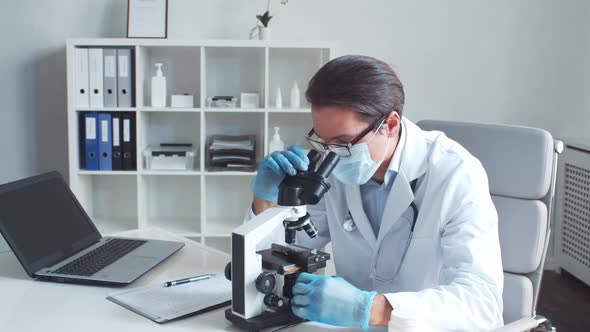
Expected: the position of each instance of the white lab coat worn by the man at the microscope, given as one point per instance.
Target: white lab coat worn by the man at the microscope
(451, 277)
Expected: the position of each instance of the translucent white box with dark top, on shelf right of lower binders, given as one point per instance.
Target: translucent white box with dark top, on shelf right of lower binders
(170, 157)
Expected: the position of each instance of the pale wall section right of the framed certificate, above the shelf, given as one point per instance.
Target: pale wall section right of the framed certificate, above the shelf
(505, 61)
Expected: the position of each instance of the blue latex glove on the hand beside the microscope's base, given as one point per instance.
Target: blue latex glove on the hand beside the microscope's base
(331, 300)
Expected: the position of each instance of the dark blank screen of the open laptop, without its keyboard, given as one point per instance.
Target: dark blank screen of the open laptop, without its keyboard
(43, 222)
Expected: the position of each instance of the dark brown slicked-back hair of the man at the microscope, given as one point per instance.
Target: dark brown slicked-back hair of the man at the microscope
(360, 83)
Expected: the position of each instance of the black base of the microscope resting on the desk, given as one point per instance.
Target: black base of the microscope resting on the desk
(263, 321)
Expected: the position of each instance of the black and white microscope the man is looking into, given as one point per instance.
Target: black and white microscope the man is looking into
(263, 272)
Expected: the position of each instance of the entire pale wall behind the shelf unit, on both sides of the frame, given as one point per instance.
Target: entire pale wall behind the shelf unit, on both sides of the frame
(521, 62)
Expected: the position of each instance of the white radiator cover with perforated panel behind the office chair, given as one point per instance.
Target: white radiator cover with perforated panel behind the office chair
(573, 211)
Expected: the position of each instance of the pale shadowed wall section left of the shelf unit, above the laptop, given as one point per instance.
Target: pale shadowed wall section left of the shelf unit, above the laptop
(33, 80)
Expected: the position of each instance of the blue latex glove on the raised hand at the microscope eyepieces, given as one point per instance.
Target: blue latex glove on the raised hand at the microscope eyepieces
(273, 169)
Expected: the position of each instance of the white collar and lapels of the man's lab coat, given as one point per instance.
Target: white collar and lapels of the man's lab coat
(410, 156)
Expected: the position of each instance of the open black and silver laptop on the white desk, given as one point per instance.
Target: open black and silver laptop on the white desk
(55, 240)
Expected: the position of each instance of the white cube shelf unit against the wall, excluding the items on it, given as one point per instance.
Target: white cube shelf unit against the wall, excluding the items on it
(202, 205)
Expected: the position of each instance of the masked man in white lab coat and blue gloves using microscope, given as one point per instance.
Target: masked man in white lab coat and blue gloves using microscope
(409, 215)
